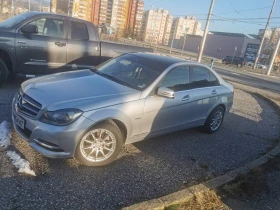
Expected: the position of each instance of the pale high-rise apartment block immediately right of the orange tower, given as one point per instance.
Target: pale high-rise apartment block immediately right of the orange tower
(156, 24)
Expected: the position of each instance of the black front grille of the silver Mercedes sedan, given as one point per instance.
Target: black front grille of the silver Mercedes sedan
(27, 106)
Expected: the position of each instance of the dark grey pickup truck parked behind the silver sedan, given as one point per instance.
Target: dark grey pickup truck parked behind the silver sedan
(35, 43)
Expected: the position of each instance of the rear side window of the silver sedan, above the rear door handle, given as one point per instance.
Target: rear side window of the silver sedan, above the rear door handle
(202, 77)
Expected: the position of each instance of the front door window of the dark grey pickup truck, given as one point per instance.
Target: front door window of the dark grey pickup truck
(49, 27)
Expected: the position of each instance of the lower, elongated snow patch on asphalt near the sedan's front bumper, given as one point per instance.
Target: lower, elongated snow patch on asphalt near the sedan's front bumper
(22, 164)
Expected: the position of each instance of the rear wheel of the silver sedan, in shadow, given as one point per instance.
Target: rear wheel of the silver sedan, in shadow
(214, 120)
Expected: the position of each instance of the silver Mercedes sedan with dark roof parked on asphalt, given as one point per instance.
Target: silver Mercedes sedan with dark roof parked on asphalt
(91, 114)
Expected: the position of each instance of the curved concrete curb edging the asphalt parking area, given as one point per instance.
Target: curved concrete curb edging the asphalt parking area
(187, 194)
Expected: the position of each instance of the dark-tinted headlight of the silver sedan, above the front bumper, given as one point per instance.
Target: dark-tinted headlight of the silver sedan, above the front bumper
(61, 117)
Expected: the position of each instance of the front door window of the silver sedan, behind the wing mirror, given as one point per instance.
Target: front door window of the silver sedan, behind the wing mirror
(178, 79)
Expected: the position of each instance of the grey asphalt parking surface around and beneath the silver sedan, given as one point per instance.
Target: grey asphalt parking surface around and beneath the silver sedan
(145, 170)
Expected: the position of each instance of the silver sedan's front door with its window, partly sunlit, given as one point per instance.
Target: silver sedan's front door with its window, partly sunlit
(164, 114)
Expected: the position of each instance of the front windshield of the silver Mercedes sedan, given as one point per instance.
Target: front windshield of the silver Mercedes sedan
(129, 70)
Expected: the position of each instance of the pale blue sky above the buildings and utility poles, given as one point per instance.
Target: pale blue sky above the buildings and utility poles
(223, 13)
